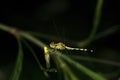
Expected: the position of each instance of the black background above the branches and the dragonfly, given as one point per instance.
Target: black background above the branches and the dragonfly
(72, 15)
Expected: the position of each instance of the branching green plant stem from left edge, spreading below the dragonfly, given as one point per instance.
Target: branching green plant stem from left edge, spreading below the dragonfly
(57, 56)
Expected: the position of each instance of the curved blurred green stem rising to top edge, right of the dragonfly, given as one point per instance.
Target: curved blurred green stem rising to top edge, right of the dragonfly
(96, 22)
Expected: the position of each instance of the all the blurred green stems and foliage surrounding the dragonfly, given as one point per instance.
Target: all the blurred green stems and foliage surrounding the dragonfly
(64, 66)
